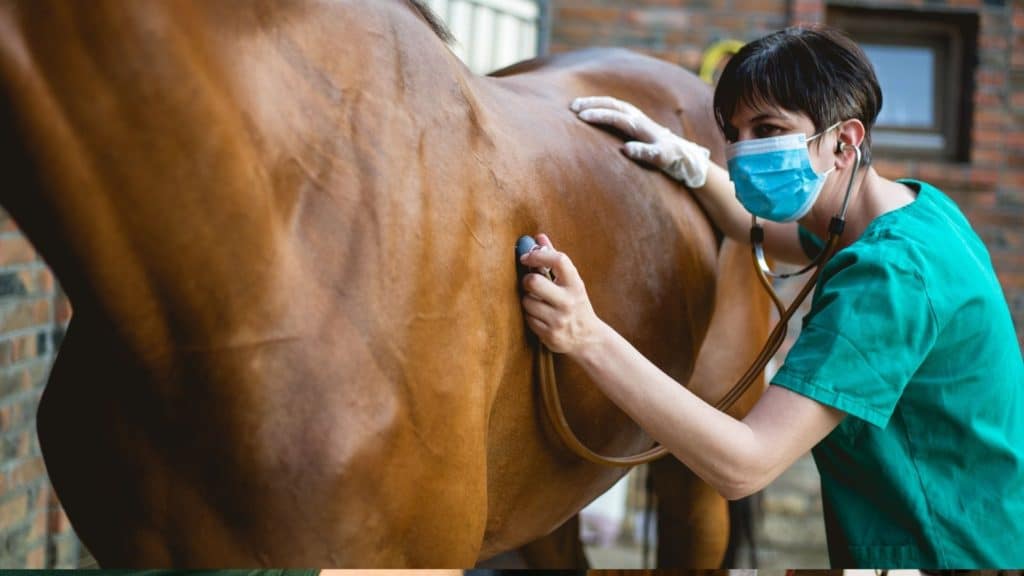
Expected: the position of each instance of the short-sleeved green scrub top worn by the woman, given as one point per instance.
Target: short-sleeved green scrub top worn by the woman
(911, 336)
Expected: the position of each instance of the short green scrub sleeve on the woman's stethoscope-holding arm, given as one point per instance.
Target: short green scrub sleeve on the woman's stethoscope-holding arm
(871, 326)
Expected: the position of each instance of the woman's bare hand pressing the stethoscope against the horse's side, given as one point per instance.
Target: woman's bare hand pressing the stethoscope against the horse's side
(559, 312)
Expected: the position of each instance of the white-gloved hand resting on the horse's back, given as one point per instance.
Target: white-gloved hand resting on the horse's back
(653, 144)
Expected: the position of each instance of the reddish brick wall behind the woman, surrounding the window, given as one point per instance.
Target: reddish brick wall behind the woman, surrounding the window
(990, 188)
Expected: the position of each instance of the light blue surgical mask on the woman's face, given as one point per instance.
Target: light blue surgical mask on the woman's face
(774, 178)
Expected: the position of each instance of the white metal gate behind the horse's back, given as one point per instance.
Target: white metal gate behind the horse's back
(493, 34)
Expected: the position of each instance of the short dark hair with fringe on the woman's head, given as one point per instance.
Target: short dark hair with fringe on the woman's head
(815, 70)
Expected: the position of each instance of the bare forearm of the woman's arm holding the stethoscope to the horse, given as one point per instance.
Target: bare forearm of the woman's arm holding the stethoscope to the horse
(718, 448)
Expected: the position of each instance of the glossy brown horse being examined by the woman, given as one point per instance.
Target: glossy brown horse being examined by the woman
(286, 229)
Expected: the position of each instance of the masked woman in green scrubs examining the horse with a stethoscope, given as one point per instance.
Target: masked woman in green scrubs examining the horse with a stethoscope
(907, 381)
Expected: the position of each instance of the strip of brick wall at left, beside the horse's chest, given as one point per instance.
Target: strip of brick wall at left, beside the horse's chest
(34, 530)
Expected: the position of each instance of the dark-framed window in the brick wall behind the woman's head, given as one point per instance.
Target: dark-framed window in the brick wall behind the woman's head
(925, 64)
